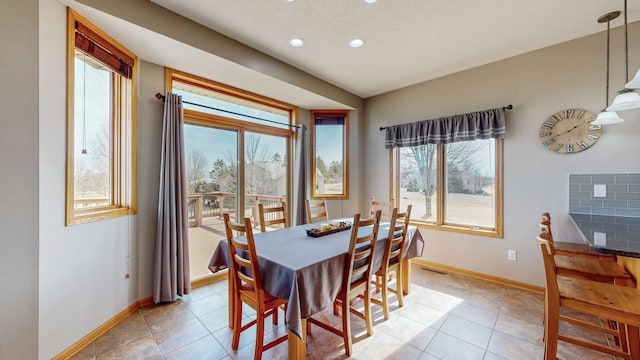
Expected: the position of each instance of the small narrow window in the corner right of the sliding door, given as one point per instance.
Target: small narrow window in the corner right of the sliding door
(329, 149)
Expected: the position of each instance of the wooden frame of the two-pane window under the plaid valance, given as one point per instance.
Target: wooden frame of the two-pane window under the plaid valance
(439, 223)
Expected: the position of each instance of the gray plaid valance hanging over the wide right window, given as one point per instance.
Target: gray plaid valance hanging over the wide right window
(487, 124)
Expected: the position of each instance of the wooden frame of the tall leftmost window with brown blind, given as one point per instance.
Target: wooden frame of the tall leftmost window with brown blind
(122, 132)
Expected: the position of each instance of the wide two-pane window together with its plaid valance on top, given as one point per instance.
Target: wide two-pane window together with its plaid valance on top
(450, 170)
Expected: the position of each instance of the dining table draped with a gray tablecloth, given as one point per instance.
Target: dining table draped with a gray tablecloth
(307, 270)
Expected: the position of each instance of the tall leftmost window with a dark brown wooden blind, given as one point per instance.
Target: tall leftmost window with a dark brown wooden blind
(101, 125)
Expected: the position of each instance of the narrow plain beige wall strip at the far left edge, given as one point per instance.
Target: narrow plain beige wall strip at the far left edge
(19, 180)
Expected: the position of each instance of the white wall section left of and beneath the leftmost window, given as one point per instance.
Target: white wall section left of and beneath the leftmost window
(82, 281)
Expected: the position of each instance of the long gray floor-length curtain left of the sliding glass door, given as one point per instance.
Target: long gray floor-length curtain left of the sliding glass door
(171, 279)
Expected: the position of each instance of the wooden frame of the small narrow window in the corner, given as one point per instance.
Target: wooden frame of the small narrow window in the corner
(345, 155)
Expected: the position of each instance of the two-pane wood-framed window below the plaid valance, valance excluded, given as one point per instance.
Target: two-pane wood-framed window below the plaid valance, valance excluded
(456, 186)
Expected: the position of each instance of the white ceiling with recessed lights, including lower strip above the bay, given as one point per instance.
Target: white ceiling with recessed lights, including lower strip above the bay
(406, 41)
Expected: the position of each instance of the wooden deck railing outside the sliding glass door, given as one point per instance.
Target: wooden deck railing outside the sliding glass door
(214, 204)
